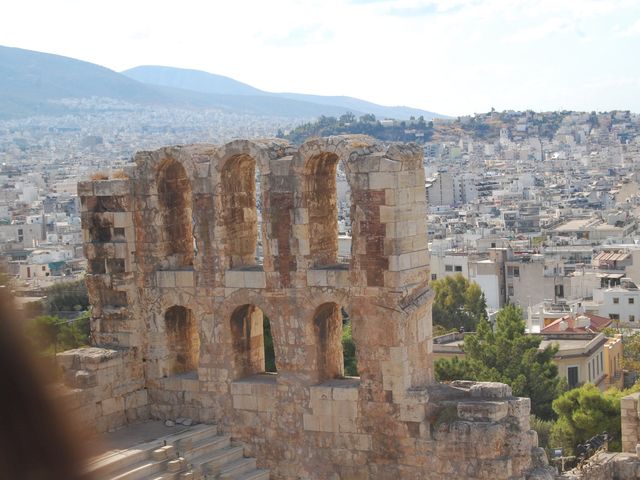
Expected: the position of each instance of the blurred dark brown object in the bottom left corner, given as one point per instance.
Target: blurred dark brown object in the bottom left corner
(37, 441)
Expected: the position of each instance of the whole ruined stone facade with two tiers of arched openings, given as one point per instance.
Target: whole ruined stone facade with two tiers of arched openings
(179, 306)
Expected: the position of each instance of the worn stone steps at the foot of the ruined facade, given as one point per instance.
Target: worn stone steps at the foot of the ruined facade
(197, 454)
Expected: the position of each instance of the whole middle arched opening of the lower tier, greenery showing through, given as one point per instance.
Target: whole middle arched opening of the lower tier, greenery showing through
(252, 341)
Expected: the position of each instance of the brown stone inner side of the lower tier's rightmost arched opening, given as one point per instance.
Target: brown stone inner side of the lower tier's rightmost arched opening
(327, 329)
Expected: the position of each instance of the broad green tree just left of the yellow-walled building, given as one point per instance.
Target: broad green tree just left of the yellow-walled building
(510, 356)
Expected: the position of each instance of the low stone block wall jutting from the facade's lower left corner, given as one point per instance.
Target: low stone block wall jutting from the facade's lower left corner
(104, 387)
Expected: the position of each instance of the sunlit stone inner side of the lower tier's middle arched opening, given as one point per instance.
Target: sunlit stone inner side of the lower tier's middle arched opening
(247, 326)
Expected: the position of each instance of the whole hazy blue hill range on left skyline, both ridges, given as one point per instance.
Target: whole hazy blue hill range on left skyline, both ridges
(34, 83)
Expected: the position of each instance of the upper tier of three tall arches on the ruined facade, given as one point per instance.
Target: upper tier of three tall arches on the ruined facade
(269, 206)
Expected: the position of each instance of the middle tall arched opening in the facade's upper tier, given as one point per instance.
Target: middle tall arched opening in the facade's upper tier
(242, 213)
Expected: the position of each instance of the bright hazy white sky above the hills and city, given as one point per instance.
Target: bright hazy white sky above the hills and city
(449, 56)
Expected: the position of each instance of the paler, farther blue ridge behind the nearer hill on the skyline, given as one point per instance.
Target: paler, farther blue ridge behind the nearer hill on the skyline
(210, 83)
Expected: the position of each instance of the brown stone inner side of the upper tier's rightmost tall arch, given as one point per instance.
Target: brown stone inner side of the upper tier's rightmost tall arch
(322, 207)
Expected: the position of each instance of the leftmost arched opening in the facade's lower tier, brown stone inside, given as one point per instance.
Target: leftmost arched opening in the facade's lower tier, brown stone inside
(182, 339)
